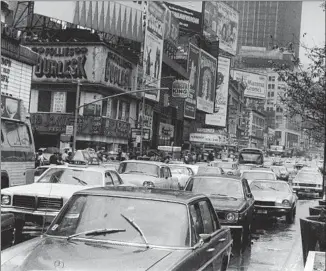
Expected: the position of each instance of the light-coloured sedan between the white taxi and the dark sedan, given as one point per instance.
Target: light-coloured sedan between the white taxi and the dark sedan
(147, 173)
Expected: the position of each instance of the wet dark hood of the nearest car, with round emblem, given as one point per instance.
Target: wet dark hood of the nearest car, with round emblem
(53, 254)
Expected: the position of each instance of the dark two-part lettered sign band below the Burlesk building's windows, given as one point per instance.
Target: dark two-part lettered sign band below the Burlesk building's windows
(88, 125)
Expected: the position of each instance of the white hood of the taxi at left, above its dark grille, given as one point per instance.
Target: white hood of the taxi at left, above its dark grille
(45, 190)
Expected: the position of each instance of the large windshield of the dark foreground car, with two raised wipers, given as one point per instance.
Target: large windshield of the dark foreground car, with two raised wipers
(162, 223)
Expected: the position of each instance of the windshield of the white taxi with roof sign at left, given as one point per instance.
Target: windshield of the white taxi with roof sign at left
(72, 176)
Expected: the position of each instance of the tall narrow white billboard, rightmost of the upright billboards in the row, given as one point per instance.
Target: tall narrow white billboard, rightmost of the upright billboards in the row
(221, 97)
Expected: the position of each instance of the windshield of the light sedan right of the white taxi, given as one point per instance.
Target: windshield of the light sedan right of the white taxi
(140, 168)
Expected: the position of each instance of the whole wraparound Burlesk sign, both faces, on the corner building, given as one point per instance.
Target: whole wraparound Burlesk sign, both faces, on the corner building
(91, 64)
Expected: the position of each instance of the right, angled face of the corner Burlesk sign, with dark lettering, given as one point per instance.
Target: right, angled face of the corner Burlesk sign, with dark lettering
(118, 71)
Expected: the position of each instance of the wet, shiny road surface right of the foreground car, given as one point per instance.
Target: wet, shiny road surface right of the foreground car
(275, 245)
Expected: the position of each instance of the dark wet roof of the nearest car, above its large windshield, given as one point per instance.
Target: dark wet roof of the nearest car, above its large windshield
(177, 196)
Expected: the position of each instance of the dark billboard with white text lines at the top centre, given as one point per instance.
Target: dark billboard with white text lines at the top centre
(189, 20)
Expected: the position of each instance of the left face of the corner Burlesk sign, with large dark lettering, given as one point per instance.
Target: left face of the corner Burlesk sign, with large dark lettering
(50, 65)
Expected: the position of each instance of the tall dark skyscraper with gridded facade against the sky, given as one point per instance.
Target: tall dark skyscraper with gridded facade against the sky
(269, 23)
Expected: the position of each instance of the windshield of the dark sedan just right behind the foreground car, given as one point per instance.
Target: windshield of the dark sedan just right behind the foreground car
(217, 186)
